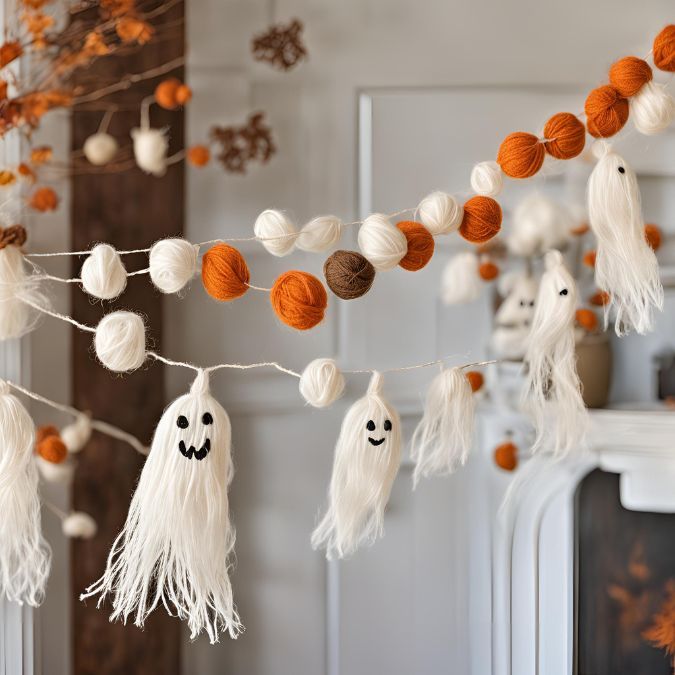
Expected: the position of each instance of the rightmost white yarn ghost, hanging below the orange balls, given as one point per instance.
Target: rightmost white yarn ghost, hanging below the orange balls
(625, 264)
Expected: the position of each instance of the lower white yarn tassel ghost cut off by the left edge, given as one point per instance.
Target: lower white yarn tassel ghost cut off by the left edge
(25, 557)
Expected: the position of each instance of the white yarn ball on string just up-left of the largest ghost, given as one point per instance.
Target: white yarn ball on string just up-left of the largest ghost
(120, 341)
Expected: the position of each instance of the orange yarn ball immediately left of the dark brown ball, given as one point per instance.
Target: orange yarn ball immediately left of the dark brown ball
(299, 299)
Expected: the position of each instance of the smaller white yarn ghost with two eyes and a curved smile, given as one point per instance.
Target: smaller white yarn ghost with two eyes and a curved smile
(367, 458)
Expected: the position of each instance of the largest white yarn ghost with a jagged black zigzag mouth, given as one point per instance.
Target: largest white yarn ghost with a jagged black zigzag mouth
(176, 544)
